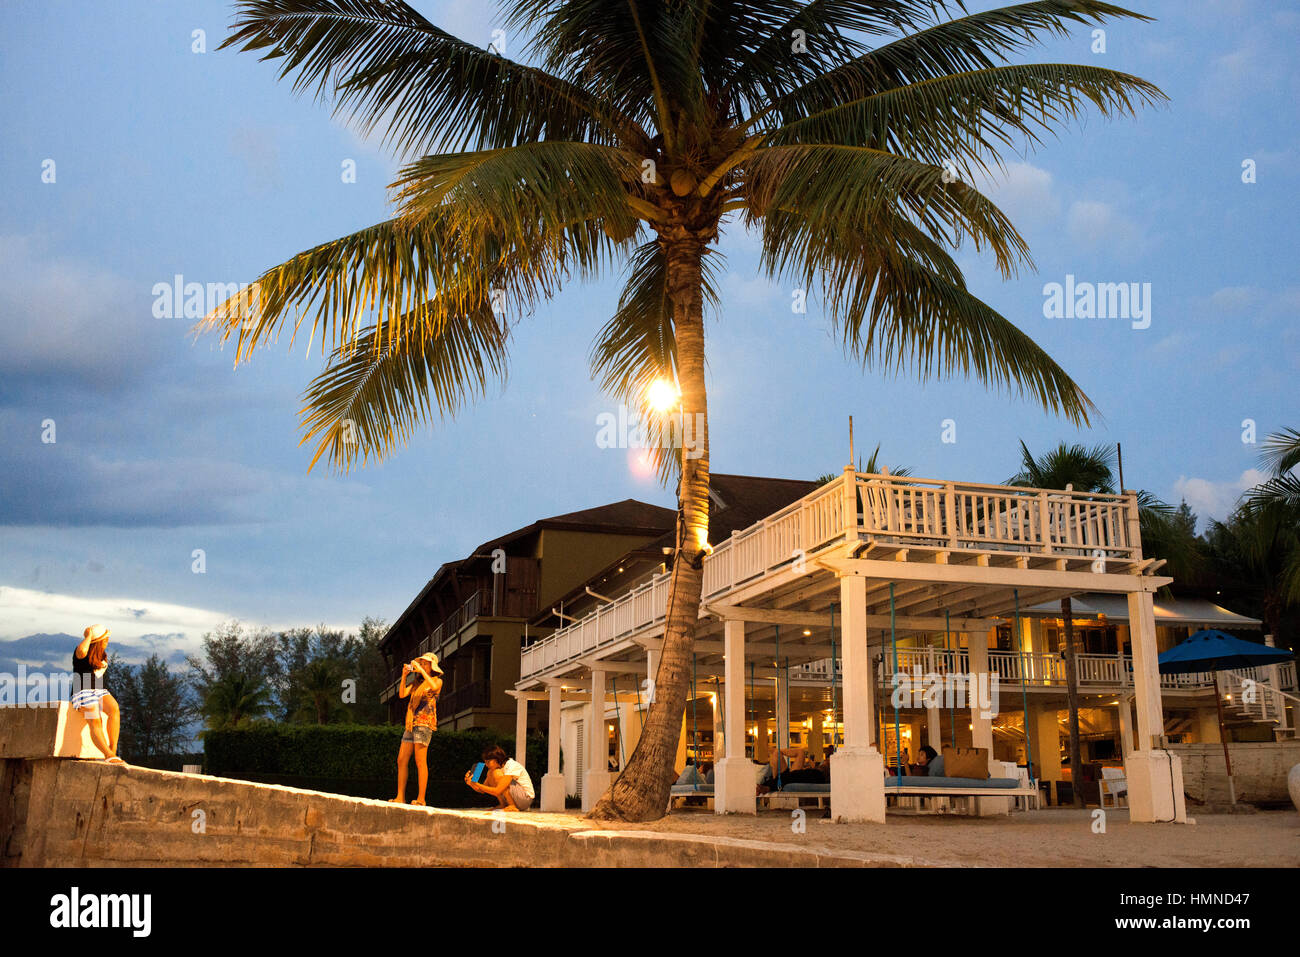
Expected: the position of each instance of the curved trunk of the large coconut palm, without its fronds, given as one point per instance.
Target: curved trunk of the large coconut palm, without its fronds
(642, 793)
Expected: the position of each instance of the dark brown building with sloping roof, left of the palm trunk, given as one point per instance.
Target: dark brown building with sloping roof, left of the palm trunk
(475, 613)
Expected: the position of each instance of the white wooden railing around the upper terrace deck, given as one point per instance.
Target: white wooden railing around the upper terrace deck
(899, 509)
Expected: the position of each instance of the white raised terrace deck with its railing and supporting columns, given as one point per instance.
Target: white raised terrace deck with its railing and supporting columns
(864, 557)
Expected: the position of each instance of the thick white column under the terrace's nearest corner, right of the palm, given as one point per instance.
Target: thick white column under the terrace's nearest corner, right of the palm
(857, 770)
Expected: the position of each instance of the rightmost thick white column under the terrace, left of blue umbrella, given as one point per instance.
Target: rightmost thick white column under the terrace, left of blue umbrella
(1155, 774)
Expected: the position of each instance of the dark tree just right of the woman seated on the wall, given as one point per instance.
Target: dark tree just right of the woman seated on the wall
(157, 709)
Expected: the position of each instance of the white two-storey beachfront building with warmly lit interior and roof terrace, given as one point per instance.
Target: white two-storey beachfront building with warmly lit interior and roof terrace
(812, 612)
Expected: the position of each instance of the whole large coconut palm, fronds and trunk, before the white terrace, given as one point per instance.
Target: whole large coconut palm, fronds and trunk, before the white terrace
(846, 132)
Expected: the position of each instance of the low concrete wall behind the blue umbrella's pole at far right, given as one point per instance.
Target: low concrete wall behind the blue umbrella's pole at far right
(1259, 772)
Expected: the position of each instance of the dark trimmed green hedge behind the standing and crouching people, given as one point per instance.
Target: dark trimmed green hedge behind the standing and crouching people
(357, 760)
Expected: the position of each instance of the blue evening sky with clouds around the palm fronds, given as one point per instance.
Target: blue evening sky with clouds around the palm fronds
(170, 162)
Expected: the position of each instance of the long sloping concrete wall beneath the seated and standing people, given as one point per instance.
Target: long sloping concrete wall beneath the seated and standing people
(58, 812)
